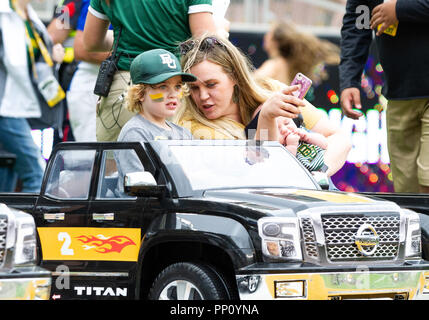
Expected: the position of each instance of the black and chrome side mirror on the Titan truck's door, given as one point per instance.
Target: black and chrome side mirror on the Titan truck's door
(142, 184)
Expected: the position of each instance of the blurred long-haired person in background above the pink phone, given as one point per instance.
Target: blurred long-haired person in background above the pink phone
(291, 51)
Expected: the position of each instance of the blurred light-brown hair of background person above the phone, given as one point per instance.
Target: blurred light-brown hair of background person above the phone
(304, 52)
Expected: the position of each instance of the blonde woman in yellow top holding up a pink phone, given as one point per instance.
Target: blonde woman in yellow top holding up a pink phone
(221, 102)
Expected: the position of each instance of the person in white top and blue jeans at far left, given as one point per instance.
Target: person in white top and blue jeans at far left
(26, 60)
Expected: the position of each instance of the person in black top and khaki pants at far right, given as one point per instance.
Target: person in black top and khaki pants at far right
(402, 40)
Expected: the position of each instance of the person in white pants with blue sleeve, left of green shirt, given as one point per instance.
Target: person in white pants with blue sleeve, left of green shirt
(81, 99)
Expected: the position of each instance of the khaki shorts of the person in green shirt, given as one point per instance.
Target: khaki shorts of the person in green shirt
(111, 110)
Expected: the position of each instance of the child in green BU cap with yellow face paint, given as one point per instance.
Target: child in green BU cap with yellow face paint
(157, 84)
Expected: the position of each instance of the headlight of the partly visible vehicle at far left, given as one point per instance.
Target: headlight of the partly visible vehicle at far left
(25, 248)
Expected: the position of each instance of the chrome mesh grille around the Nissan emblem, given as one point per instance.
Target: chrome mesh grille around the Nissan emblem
(340, 231)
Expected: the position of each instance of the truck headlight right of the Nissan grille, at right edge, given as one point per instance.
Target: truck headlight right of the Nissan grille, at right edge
(413, 244)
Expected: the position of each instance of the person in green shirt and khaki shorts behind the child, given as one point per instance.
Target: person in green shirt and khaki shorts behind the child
(142, 25)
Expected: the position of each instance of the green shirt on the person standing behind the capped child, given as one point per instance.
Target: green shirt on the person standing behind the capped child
(148, 24)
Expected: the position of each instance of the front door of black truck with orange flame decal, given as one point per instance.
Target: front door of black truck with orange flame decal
(116, 224)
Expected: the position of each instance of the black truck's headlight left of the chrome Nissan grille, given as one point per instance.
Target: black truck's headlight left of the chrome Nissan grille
(280, 238)
